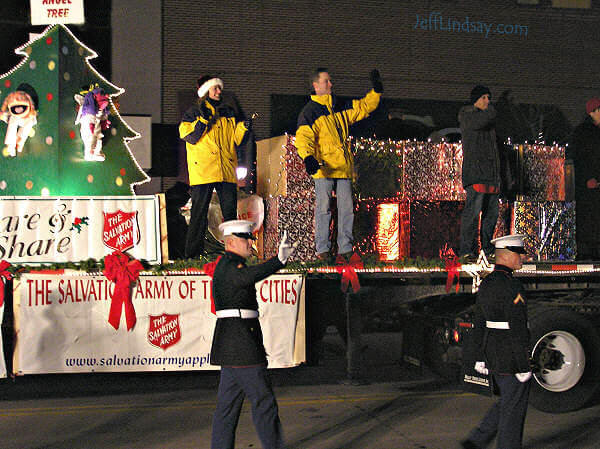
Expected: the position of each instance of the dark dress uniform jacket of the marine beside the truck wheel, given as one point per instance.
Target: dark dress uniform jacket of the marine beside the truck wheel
(501, 298)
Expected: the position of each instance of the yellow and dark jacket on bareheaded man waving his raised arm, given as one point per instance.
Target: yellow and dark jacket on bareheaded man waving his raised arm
(323, 129)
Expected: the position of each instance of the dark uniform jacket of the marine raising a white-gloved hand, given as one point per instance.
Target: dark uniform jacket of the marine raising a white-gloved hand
(237, 341)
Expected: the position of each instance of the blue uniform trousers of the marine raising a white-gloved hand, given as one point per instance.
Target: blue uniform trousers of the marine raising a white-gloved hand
(234, 385)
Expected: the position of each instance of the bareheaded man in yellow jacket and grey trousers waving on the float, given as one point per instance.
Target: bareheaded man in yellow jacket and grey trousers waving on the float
(322, 142)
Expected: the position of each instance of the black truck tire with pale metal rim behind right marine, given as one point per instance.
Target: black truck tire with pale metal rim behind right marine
(566, 352)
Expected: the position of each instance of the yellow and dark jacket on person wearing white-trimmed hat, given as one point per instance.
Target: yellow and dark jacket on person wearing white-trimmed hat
(211, 135)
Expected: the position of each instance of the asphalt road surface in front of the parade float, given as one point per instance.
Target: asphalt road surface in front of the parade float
(324, 416)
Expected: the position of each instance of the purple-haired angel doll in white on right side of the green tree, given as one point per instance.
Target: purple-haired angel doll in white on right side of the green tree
(93, 119)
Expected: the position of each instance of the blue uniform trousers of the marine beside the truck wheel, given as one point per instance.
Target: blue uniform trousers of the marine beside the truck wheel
(506, 417)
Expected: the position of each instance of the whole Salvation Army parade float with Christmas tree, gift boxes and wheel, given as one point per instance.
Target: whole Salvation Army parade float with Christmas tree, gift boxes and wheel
(88, 285)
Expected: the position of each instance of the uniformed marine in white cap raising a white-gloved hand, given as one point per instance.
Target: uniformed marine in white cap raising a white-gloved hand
(238, 342)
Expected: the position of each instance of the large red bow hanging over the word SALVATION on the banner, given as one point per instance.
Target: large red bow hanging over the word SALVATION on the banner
(119, 269)
